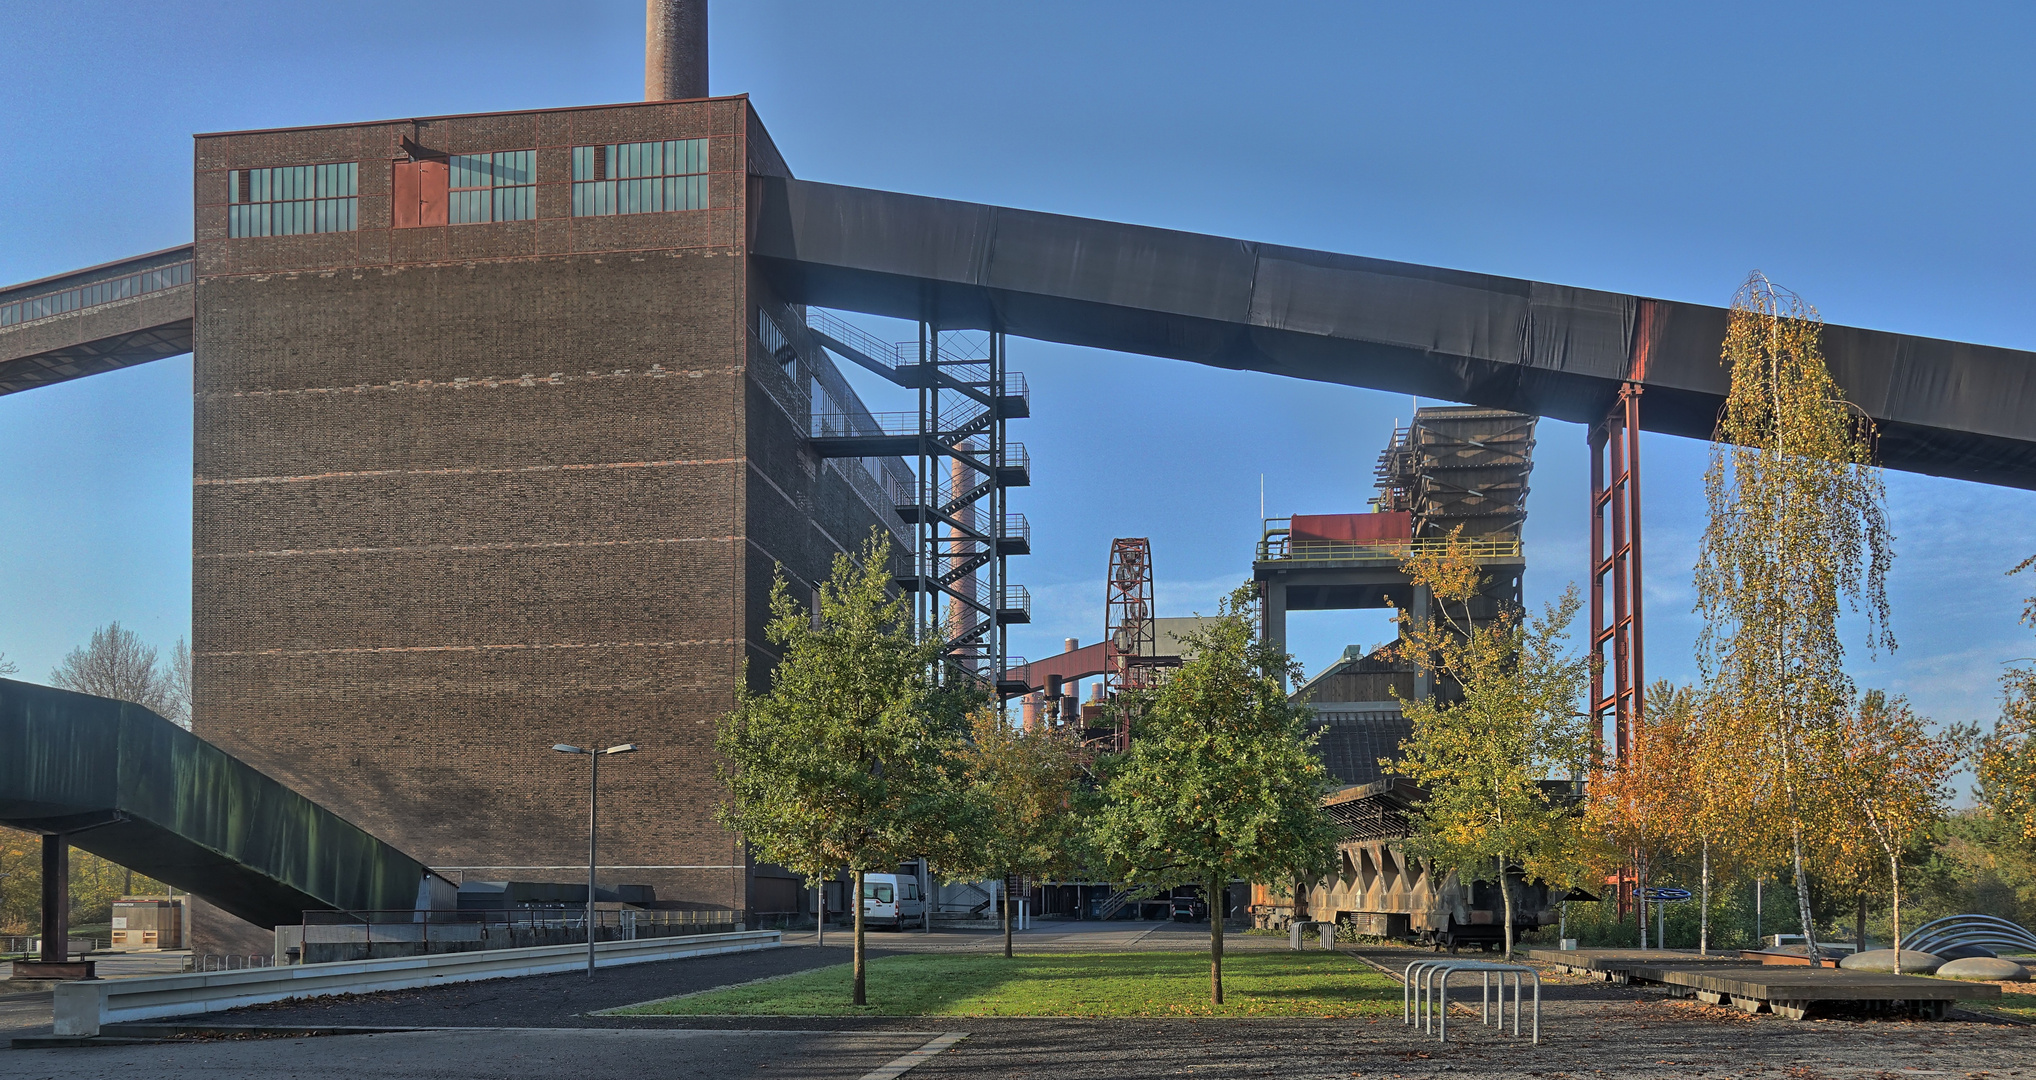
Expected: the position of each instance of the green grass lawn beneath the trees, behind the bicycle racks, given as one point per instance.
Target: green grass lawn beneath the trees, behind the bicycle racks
(1064, 985)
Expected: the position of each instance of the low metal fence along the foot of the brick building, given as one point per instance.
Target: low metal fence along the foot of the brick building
(333, 936)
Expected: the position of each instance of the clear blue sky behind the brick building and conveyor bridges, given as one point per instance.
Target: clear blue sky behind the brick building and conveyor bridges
(1874, 158)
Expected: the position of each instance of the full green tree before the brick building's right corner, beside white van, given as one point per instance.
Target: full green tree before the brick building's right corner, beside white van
(854, 757)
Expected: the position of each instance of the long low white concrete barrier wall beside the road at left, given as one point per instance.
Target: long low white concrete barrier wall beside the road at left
(84, 1008)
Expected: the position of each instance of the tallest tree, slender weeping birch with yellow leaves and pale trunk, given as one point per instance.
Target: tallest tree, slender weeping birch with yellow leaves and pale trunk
(1797, 529)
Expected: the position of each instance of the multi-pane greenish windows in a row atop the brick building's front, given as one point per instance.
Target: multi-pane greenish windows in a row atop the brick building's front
(620, 178)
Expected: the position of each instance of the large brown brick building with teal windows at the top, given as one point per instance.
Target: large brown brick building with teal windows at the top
(500, 443)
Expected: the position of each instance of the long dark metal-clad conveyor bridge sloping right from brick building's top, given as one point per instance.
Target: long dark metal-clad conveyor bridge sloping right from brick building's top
(1943, 409)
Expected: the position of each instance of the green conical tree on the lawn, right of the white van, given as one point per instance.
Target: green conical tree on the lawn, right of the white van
(1223, 779)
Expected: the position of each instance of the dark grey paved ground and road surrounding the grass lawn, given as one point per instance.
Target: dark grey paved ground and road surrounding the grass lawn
(1589, 1030)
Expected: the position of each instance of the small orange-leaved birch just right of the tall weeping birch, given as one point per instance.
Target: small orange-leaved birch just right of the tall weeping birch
(1890, 771)
